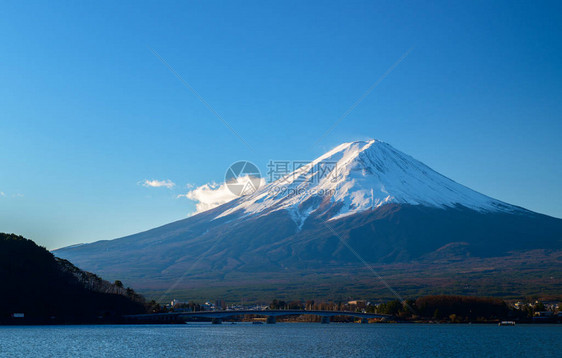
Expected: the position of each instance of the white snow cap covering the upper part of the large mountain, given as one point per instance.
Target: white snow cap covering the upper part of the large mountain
(359, 176)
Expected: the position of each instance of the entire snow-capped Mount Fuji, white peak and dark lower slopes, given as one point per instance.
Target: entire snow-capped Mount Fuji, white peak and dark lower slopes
(293, 236)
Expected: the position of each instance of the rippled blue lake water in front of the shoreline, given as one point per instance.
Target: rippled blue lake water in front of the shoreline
(283, 340)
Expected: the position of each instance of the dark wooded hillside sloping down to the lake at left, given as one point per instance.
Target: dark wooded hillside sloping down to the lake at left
(51, 290)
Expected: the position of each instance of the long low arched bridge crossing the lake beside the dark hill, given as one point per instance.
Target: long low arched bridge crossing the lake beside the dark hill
(218, 316)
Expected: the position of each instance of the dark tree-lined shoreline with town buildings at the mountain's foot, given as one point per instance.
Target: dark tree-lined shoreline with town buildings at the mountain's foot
(436, 309)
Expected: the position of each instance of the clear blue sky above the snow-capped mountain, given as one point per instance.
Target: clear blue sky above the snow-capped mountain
(88, 112)
